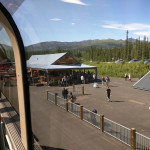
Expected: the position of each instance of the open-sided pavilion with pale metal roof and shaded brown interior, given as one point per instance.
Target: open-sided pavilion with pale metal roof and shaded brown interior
(51, 68)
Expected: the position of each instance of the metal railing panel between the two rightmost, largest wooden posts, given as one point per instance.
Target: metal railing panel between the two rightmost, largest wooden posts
(117, 131)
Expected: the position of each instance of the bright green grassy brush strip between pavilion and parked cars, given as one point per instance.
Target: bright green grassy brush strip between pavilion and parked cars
(118, 70)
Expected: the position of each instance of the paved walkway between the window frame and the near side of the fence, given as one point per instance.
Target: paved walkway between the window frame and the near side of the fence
(57, 129)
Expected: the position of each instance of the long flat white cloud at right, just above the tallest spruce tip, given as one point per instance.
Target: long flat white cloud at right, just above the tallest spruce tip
(131, 27)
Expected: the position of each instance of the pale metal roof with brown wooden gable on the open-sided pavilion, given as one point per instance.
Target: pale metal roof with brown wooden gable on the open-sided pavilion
(55, 62)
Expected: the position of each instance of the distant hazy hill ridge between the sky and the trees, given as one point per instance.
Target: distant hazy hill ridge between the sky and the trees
(54, 45)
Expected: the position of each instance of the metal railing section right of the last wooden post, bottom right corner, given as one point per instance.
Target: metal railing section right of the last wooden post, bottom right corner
(142, 142)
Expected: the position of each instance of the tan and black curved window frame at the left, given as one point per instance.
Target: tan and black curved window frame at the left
(22, 82)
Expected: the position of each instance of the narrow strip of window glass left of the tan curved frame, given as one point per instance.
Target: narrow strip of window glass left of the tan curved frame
(8, 82)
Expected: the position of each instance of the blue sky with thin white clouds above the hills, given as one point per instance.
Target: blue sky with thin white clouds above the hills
(77, 20)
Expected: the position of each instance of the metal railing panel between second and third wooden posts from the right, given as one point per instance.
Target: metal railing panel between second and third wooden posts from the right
(91, 118)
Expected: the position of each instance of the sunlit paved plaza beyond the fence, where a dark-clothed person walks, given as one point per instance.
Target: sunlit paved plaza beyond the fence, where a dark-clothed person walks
(129, 106)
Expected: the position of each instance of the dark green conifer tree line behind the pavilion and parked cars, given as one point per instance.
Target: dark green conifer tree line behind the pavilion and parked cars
(140, 49)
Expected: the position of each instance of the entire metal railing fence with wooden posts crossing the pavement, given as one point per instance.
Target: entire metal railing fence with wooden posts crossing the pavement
(128, 136)
